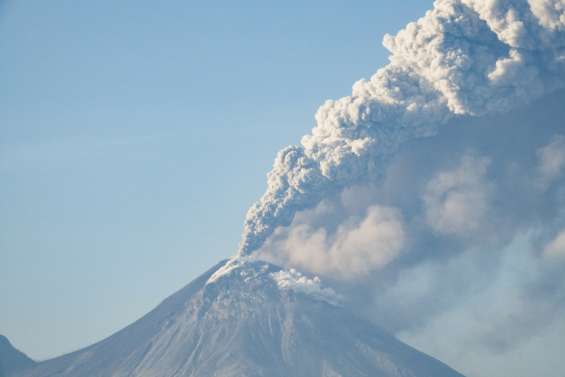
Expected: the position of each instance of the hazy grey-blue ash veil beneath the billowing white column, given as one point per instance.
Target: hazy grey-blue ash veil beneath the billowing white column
(477, 278)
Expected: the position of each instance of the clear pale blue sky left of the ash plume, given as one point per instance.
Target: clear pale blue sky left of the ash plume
(135, 134)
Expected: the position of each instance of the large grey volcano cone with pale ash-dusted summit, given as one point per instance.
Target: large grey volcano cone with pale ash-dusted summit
(247, 322)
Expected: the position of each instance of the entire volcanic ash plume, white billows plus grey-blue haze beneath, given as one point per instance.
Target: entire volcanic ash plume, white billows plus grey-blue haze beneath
(434, 195)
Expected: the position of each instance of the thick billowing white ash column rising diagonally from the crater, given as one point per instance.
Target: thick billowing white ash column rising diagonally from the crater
(464, 58)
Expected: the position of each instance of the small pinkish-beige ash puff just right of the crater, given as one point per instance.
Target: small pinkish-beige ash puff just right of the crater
(357, 247)
